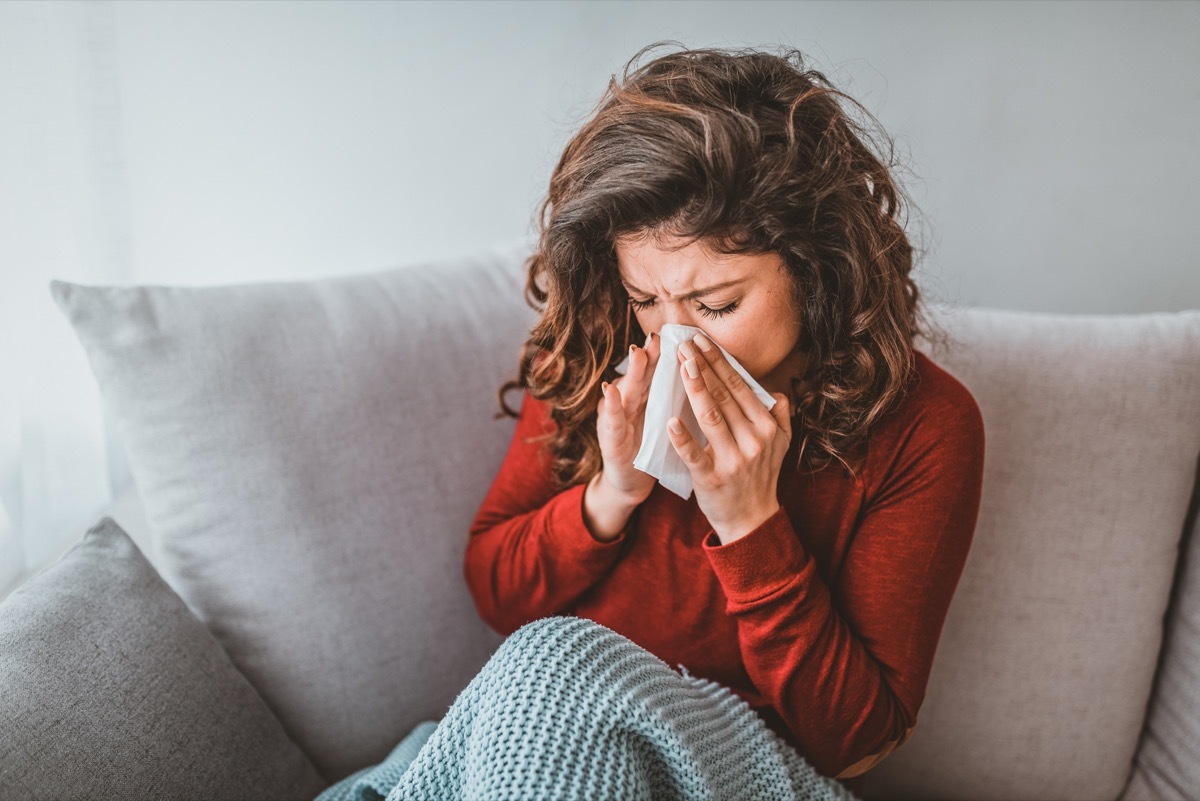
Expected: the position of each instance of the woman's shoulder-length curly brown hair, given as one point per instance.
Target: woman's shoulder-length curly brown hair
(747, 152)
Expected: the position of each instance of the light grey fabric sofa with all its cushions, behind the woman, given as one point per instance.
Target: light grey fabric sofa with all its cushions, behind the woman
(279, 599)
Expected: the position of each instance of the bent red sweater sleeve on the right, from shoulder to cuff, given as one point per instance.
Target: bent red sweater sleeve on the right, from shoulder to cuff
(848, 671)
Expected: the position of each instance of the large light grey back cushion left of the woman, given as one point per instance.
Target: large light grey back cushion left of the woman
(311, 456)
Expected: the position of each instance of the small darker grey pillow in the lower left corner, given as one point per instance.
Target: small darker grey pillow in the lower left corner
(115, 690)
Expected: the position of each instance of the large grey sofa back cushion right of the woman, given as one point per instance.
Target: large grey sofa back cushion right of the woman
(1048, 655)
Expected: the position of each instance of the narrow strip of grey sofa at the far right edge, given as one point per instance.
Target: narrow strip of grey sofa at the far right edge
(1168, 764)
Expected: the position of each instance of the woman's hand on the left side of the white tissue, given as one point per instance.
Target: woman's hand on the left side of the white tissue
(620, 420)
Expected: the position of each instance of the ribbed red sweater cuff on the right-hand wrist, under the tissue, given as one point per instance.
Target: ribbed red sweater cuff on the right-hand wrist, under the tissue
(761, 563)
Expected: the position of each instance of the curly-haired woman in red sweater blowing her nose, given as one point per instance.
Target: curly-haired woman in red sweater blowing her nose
(730, 191)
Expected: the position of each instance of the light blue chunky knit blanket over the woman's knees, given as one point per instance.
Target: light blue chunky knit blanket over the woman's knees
(571, 709)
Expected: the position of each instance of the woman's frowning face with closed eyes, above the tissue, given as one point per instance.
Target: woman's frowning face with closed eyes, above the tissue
(743, 303)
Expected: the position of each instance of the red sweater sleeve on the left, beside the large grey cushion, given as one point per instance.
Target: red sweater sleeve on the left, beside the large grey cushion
(530, 555)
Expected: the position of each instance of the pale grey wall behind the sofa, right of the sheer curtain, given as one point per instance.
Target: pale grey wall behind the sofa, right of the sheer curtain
(1053, 146)
